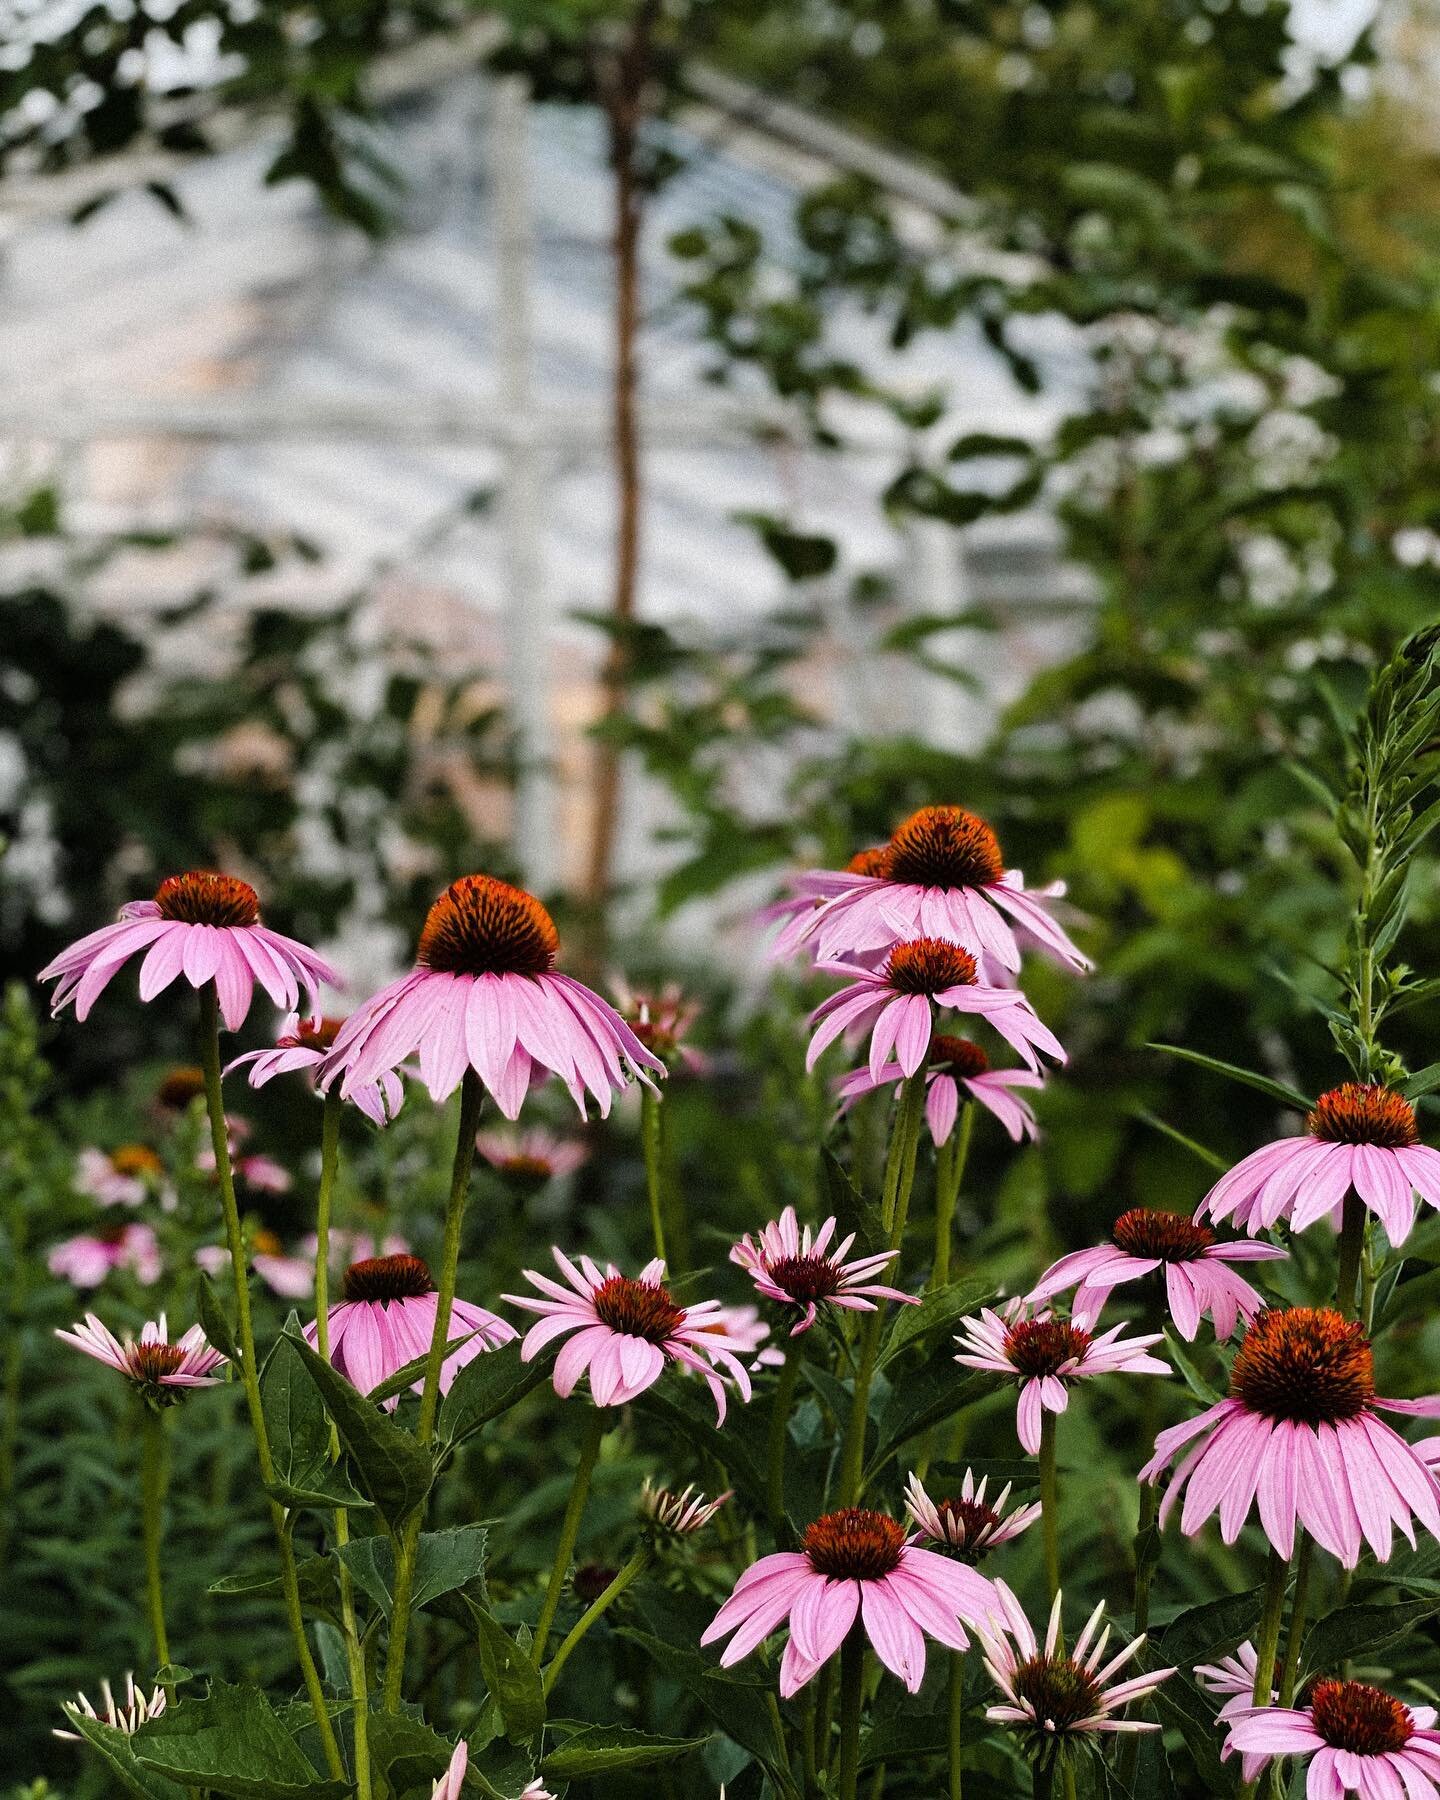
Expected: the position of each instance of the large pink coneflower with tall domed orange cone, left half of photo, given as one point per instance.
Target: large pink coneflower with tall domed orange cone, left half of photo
(485, 994)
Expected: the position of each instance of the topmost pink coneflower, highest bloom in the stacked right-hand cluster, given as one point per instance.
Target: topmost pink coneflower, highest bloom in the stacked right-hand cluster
(940, 876)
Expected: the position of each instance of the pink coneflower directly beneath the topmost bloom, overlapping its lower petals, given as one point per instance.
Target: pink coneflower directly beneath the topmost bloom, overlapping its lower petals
(895, 1005)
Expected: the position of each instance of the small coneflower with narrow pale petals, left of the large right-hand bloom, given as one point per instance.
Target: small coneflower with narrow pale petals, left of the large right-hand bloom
(1047, 1354)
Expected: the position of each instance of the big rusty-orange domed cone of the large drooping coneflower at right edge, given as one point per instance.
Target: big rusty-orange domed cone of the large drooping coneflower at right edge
(1304, 1363)
